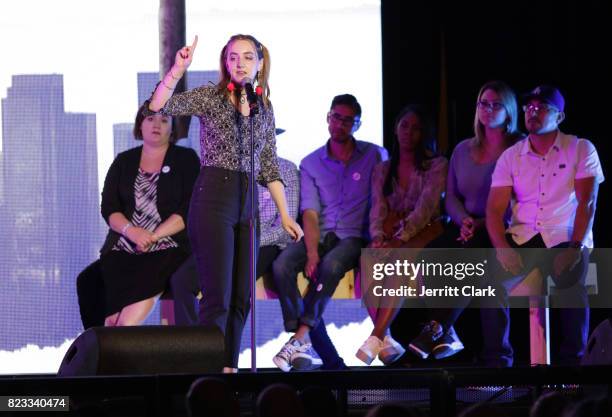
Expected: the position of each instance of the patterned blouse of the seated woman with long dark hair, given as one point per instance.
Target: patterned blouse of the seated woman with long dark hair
(417, 205)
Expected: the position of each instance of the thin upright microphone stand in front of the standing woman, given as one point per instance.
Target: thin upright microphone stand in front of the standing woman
(253, 110)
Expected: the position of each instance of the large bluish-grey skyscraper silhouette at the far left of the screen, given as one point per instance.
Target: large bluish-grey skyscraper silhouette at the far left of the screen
(50, 217)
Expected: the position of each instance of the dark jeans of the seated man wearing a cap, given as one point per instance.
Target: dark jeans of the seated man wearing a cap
(574, 321)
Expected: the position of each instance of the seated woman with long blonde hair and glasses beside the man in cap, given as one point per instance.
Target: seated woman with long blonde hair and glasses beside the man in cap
(467, 188)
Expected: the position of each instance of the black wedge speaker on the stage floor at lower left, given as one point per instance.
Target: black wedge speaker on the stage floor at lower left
(144, 350)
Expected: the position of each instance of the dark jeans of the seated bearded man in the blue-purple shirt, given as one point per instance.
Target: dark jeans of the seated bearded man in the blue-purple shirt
(337, 257)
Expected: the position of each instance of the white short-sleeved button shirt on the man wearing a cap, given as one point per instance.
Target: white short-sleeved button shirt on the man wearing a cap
(543, 196)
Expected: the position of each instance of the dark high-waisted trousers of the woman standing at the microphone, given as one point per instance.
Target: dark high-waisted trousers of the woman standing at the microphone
(218, 228)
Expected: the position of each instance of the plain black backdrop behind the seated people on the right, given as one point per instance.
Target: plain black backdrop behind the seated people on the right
(525, 43)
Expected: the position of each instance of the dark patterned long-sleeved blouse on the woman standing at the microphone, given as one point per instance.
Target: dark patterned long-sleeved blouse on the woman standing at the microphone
(225, 132)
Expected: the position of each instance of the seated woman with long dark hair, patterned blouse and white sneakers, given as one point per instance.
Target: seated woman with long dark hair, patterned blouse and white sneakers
(406, 192)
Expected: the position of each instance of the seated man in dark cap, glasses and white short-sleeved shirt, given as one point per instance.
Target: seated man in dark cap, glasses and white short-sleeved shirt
(550, 179)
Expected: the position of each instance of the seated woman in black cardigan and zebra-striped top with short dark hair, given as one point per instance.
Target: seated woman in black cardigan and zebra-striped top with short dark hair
(145, 201)
